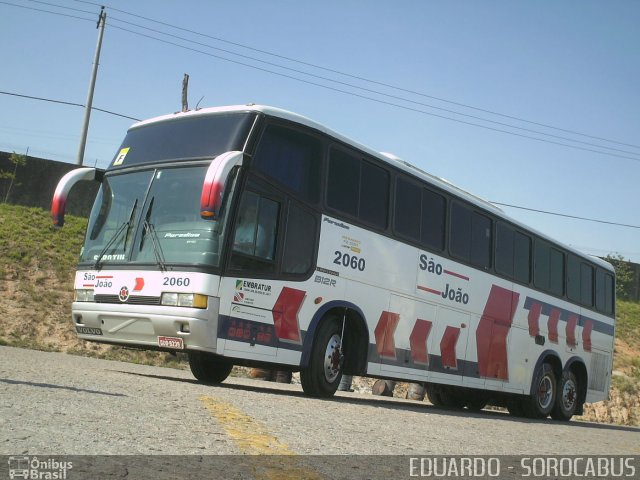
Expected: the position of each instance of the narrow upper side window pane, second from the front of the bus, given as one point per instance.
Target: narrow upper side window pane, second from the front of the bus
(343, 186)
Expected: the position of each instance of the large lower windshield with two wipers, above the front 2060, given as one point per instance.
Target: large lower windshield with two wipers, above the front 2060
(166, 226)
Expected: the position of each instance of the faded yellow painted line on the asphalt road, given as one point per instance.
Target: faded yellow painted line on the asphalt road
(252, 437)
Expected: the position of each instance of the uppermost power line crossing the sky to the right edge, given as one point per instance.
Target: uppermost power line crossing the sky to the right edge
(265, 52)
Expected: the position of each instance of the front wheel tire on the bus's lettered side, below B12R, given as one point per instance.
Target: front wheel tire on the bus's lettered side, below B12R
(322, 375)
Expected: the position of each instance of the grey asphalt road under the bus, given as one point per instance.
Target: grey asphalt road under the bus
(57, 404)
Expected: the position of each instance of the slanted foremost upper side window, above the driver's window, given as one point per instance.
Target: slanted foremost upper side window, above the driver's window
(291, 158)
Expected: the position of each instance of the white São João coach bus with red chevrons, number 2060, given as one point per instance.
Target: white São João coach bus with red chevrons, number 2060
(252, 236)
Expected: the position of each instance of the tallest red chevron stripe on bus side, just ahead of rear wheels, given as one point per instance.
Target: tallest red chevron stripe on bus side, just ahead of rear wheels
(493, 328)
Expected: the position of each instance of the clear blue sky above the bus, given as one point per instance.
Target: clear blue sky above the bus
(531, 103)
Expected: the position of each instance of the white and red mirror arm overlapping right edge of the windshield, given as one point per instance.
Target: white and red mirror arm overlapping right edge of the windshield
(215, 182)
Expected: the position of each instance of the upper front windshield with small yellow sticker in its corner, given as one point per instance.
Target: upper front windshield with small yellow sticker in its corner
(190, 137)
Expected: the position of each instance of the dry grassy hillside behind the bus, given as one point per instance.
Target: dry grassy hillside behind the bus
(37, 263)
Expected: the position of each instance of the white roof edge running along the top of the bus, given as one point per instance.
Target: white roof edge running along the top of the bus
(382, 156)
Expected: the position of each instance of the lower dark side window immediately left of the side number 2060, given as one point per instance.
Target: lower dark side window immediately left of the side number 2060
(300, 241)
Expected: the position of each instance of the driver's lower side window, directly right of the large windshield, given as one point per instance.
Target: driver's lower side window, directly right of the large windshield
(254, 241)
